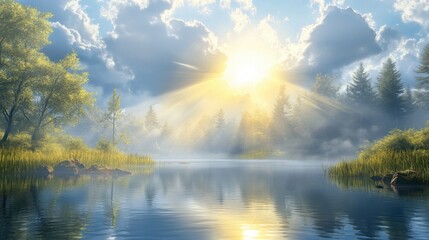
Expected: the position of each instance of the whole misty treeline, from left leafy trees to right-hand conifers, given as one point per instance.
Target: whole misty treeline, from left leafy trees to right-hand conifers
(39, 98)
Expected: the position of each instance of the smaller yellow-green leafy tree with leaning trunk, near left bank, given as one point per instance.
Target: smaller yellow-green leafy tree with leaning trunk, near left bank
(60, 95)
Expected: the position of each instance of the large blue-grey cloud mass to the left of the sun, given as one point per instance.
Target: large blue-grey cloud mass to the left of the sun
(149, 47)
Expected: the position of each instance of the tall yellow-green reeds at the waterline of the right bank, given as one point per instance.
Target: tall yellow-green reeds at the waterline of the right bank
(384, 162)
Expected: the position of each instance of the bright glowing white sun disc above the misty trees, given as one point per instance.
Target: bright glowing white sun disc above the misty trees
(247, 69)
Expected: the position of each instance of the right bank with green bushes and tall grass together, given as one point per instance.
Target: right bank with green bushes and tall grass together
(398, 151)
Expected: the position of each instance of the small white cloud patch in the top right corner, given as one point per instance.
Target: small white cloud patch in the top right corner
(414, 11)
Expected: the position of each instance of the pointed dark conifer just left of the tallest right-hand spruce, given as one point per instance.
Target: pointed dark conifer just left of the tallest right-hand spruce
(359, 90)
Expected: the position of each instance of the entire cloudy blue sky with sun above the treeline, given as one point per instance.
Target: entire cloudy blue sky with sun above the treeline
(150, 48)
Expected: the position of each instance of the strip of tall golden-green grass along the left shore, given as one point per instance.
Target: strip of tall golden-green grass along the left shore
(18, 160)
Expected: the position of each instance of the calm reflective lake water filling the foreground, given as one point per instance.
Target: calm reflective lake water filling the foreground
(225, 199)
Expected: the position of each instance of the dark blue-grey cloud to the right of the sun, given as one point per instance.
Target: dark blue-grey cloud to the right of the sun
(342, 37)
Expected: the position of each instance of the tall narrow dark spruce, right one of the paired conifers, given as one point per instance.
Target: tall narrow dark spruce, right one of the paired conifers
(390, 89)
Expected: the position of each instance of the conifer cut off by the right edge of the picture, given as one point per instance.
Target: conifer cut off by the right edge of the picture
(423, 79)
